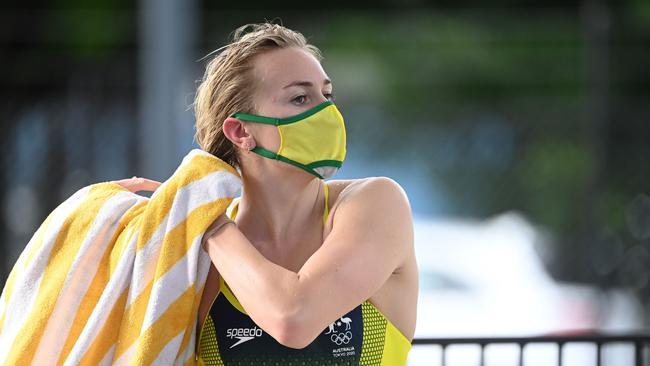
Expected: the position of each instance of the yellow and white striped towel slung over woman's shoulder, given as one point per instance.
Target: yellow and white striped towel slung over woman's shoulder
(112, 277)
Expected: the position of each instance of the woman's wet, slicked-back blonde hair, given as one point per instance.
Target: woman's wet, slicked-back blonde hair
(226, 87)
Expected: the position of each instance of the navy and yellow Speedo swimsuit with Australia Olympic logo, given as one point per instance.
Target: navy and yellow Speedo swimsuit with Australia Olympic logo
(363, 336)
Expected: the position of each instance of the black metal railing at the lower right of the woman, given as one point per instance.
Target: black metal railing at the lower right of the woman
(639, 341)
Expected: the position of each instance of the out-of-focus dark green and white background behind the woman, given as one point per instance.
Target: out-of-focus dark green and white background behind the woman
(519, 129)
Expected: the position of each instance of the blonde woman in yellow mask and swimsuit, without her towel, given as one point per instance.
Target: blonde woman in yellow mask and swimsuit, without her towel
(304, 271)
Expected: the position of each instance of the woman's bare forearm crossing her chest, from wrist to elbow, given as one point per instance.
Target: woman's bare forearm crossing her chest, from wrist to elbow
(269, 293)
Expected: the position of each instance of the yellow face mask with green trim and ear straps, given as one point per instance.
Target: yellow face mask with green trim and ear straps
(313, 140)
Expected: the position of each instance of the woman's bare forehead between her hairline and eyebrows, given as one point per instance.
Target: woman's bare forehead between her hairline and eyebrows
(277, 68)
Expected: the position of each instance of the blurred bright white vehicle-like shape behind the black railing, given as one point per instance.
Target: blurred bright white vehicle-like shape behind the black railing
(485, 279)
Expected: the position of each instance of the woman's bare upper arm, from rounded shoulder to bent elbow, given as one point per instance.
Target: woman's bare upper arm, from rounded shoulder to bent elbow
(370, 238)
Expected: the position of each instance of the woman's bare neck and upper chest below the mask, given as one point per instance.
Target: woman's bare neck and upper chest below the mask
(277, 203)
